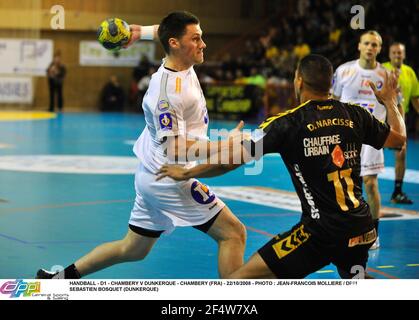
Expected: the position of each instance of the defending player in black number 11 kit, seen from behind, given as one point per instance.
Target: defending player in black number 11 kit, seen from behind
(320, 143)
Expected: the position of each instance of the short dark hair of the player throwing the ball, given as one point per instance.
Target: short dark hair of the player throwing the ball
(174, 26)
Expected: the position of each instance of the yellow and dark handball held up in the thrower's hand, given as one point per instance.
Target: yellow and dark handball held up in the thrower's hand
(113, 33)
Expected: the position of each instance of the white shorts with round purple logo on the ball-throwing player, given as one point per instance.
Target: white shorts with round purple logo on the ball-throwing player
(165, 204)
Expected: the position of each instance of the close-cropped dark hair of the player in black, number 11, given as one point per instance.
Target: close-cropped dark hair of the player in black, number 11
(317, 72)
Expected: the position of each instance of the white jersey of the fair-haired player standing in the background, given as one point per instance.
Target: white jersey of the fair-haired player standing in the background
(350, 83)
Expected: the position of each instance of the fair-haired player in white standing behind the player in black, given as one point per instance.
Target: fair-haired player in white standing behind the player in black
(350, 84)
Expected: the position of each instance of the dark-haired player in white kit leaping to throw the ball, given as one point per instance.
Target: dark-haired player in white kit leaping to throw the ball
(176, 116)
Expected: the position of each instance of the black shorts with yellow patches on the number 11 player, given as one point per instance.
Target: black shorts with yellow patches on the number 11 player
(297, 253)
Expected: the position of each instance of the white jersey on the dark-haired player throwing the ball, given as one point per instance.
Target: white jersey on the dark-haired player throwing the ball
(173, 105)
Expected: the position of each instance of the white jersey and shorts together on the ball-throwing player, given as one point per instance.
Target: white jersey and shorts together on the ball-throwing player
(173, 105)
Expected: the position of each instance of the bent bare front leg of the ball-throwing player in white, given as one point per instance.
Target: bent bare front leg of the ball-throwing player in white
(230, 235)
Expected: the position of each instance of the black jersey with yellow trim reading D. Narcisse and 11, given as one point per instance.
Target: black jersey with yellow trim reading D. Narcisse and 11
(320, 143)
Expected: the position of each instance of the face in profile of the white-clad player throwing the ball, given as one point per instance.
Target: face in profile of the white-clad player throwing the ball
(191, 45)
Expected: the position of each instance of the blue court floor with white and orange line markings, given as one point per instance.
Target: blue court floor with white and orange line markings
(67, 185)
